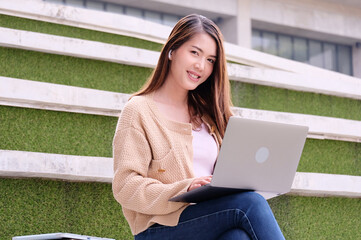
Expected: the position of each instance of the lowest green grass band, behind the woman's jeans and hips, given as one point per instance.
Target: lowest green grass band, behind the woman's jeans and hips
(36, 206)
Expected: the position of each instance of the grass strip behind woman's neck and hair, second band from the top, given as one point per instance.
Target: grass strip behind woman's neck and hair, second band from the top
(115, 77)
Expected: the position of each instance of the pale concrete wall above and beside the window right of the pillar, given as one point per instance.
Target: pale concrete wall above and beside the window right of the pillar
(328, 20)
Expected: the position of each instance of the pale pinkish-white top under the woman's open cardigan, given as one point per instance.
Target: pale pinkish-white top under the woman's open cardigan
(204, 152)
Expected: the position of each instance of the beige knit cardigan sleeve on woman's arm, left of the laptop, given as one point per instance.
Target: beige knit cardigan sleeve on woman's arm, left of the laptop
(131, 186)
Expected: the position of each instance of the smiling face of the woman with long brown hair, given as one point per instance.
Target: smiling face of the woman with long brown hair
(192, 63)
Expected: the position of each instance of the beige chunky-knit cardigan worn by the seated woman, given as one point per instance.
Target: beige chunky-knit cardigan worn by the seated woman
(152, 163)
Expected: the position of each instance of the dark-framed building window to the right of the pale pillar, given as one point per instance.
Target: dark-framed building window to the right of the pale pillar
(331, 56)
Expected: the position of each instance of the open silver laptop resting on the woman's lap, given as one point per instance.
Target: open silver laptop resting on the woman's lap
(255, 156)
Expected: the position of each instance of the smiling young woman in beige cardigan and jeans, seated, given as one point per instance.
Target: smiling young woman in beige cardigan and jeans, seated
(167, 140)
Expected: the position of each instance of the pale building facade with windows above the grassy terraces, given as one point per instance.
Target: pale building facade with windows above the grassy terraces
(323, 33)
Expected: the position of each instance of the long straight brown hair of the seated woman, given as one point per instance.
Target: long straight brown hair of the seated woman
(212, 97)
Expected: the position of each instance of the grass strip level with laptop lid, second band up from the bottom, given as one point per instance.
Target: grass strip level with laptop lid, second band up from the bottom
(89, 135)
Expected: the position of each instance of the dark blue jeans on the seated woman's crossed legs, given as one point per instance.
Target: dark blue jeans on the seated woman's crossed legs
(244, 215)
